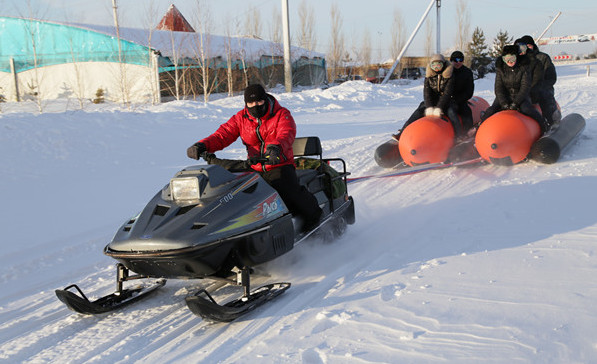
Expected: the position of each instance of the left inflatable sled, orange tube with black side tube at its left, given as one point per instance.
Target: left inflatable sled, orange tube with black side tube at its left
(429, 139)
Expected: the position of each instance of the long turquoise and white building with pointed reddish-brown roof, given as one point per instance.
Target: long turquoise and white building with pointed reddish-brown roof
(48, 60)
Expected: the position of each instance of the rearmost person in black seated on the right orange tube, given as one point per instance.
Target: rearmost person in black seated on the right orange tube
(544, 79)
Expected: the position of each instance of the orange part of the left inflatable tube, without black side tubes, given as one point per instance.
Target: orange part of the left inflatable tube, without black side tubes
(429, 139)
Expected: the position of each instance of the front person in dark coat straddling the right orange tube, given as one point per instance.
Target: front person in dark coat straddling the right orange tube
(513, 86)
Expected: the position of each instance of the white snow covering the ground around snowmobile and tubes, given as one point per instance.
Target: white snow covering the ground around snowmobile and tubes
(489, 264)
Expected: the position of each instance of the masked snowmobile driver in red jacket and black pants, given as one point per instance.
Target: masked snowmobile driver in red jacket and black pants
(267, 130)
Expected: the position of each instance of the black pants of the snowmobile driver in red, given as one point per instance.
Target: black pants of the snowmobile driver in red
(296, 197)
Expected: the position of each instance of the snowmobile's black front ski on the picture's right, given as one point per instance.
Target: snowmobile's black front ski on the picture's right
(202, 303)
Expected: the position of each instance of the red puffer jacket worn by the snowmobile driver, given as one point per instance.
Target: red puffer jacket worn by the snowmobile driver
(276, 127)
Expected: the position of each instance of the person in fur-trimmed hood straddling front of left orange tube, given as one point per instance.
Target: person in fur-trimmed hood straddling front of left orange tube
(437, 91)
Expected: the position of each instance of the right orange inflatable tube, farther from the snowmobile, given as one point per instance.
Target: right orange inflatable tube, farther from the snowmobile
(506, 137)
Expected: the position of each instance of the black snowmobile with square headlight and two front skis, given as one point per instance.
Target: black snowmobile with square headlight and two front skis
(211, 223)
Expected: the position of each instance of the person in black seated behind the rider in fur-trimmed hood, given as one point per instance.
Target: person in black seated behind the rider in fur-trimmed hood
(464, 87)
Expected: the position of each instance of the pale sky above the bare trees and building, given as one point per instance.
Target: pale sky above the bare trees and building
(373, 16)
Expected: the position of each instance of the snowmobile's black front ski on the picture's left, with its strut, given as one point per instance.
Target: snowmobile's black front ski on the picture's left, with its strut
(121, 297)
